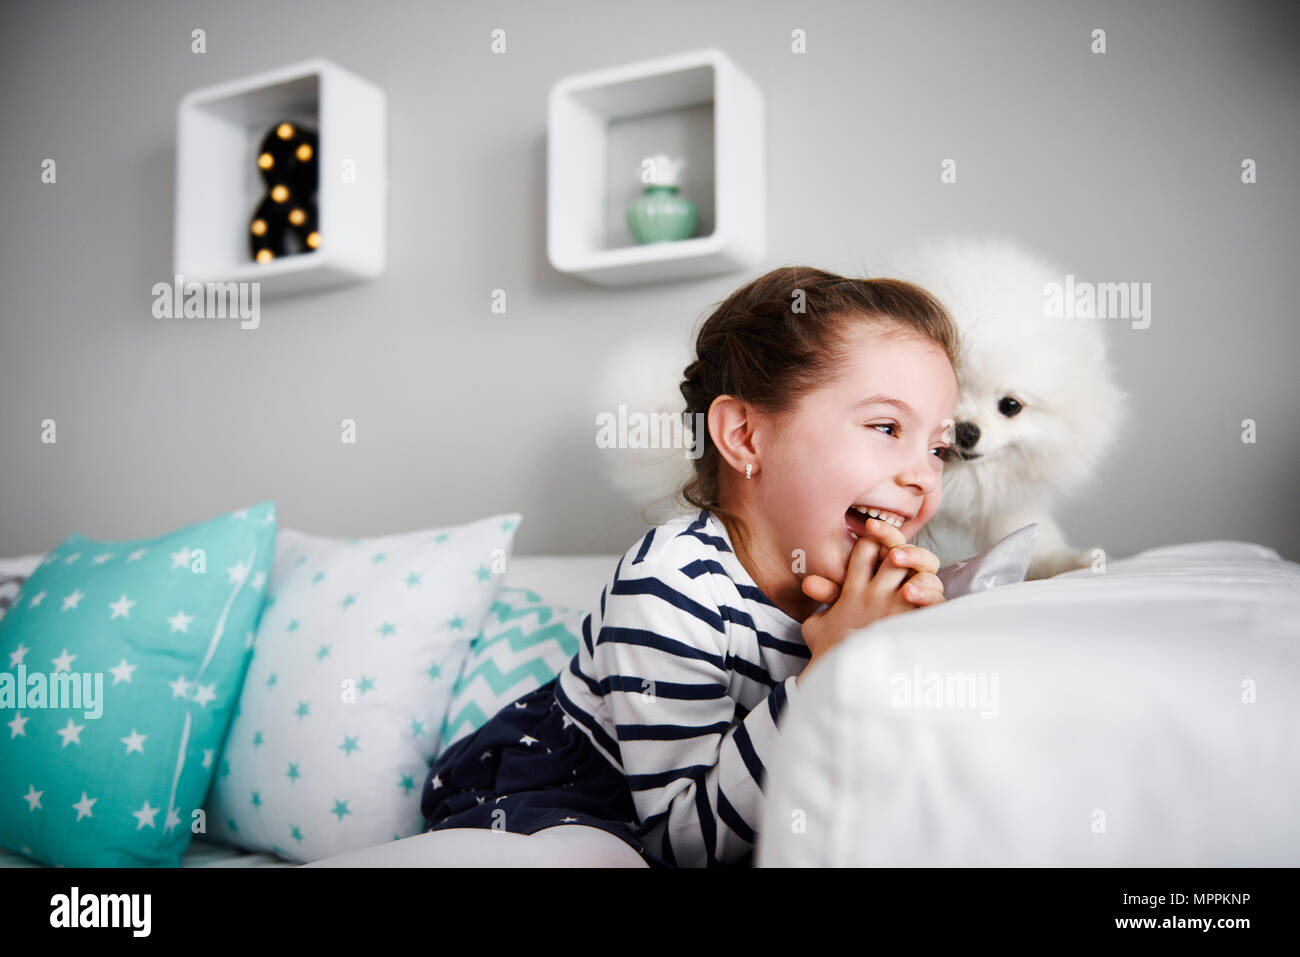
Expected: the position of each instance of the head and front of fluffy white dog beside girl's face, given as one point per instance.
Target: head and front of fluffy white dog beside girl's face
(1038, 405)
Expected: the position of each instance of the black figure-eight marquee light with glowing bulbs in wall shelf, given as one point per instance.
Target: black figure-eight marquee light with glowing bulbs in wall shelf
(285, 222)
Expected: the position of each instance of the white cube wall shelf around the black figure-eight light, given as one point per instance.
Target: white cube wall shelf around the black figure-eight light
(219, 187)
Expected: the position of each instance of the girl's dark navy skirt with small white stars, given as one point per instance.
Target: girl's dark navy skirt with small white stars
(541, 770)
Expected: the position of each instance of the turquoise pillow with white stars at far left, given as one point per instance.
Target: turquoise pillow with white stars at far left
(161, 633)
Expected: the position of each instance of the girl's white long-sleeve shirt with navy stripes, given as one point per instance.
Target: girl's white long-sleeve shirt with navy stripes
(681, 681)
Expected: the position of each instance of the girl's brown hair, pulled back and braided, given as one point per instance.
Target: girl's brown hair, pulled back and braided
(781, 337)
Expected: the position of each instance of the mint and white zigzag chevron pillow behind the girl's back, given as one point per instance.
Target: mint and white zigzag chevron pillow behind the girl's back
(523, 646)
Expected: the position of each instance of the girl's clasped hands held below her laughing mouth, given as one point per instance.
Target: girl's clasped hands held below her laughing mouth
(876, 586)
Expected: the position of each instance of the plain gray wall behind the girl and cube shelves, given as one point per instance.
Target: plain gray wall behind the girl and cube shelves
(1123, 167)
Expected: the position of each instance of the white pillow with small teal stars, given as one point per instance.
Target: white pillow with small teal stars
(357, 655)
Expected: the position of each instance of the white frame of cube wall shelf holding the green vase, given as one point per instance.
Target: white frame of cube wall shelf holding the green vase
(582, 111)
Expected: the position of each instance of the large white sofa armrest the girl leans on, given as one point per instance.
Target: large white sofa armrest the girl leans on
(1142, 717)
